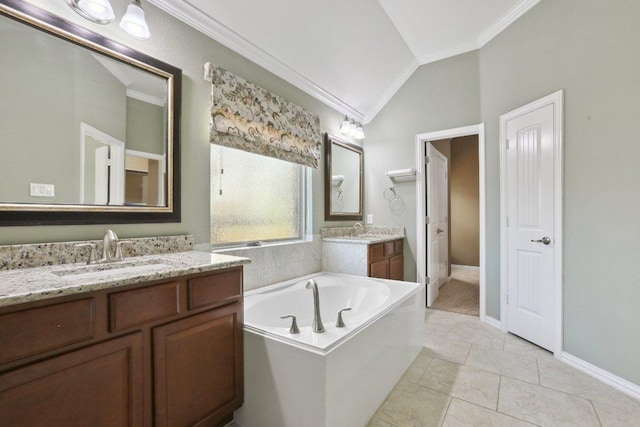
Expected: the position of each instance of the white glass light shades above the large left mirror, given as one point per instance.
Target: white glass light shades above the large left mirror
(101, 12)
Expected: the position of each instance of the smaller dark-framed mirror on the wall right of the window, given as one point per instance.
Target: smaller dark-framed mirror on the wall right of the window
(344, 184)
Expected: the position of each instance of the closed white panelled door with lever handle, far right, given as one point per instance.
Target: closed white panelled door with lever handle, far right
(531, 287)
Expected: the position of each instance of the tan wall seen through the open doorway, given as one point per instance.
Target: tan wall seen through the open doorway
(464, 202)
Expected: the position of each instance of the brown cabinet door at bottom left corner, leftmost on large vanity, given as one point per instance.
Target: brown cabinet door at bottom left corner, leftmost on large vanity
(100, 386)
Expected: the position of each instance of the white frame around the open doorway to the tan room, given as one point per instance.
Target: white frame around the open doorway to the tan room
(421, 208)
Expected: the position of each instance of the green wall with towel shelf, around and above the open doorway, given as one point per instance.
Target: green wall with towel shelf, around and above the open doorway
(442, 95)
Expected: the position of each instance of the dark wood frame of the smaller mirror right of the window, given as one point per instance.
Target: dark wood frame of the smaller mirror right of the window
(330, 215)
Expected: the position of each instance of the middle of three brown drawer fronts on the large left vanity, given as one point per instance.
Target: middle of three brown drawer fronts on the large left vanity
(138, 306)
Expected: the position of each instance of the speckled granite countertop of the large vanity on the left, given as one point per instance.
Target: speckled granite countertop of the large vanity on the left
(33, 284)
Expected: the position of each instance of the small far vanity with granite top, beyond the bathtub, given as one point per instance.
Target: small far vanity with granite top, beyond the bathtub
(372, 251)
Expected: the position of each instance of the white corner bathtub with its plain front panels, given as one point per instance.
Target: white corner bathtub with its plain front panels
(336, 378)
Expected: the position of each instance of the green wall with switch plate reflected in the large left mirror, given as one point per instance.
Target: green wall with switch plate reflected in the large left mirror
(44, 104)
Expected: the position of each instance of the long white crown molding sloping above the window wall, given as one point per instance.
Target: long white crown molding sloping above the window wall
(199, 20)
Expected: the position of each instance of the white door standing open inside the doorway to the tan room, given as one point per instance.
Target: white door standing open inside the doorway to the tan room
(438, 226)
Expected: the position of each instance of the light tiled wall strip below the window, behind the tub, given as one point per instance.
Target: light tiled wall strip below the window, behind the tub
(275, 263)
